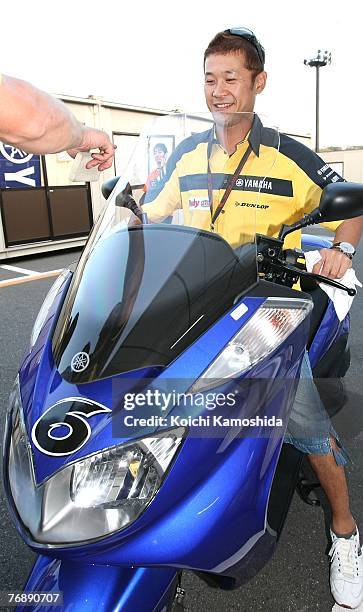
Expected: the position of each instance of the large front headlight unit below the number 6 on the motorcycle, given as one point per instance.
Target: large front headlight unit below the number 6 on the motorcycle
(93, 497)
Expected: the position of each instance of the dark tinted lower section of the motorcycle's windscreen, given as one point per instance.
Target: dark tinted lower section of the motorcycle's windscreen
(146, 294)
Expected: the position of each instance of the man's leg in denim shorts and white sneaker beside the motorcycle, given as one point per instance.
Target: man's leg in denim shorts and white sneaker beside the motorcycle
(310, 430)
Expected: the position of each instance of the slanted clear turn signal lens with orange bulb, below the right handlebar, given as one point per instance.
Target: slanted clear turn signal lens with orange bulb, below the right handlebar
(271, 324)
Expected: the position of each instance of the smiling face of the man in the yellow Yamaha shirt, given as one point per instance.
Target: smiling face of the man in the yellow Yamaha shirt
(229, 87)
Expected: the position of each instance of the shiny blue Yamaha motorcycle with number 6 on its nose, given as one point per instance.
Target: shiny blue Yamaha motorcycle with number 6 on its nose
(115, 474)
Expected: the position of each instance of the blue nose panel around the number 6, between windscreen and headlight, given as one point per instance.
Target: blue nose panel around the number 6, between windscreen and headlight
(42, 386)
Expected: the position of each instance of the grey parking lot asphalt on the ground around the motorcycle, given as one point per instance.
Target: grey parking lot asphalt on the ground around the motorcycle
(296, 579)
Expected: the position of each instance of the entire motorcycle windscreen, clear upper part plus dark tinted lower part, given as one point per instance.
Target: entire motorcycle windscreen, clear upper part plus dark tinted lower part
(142, 294)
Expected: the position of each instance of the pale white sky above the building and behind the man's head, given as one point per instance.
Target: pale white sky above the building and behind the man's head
(149, 54)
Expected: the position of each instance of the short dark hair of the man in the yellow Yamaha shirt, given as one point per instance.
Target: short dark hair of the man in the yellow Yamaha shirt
(225, 43)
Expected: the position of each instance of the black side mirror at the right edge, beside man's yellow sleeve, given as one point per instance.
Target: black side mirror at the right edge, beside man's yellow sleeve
(338, 201)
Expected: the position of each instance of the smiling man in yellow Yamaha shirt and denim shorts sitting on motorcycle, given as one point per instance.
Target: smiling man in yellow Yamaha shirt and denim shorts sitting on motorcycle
(234, 76)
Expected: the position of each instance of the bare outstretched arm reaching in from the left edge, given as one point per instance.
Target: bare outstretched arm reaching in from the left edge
(36, 122)
